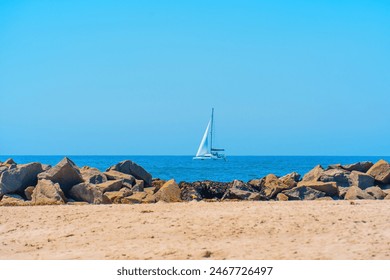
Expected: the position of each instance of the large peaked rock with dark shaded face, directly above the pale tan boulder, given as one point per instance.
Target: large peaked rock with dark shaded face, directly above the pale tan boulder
(65, 173)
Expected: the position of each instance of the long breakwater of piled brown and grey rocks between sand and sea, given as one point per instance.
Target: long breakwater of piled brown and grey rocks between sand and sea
(129, 183)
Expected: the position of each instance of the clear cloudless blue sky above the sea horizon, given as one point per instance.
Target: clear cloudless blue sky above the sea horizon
(140, 77)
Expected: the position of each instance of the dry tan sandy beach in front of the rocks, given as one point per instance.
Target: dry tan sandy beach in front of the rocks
(198, 230)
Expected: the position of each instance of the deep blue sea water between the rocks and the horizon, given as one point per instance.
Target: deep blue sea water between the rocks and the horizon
(183, 168)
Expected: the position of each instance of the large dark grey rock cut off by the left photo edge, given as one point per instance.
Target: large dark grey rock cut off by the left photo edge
(19, 178)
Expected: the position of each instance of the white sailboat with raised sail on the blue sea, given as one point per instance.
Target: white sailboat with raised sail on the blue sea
(206, 149)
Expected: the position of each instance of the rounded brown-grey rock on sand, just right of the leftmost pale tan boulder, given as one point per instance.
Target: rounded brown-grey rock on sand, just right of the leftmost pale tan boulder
(88, 193)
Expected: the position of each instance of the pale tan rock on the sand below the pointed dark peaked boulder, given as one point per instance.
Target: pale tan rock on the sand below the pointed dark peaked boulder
(47, 193)
